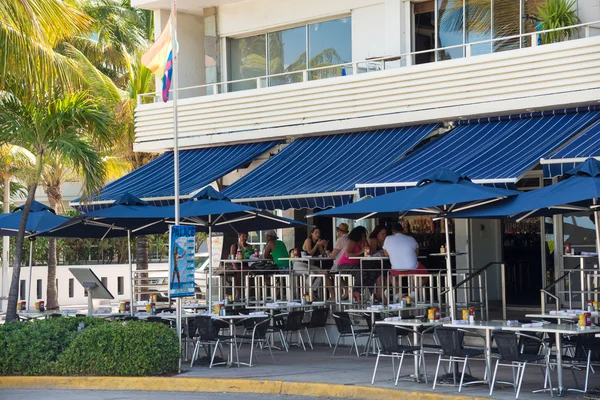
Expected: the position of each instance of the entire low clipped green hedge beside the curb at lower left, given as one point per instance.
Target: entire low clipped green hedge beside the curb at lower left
(55, 347)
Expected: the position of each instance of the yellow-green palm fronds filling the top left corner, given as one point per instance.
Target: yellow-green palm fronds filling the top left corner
(29, 32)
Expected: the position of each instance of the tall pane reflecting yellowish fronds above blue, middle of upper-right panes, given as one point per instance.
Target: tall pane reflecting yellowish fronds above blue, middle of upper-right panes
(479, 25)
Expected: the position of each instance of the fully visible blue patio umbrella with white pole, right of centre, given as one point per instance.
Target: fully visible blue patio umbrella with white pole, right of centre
(436, 195)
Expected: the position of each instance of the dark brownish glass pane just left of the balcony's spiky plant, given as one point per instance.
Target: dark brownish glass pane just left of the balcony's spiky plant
(507, 22)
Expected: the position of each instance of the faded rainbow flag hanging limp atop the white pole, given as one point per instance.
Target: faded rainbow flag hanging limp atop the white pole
(159, 59)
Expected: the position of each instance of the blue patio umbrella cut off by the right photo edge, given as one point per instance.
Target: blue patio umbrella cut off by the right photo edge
(578, 191)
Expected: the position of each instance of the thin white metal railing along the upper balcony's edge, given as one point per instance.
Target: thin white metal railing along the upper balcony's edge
(365, 66)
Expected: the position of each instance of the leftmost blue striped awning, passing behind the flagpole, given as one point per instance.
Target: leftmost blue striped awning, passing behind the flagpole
(154, 182)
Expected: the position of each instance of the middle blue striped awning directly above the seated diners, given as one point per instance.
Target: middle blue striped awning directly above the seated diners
(321, 172)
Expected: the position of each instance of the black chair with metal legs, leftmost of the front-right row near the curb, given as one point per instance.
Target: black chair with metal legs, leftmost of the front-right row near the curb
(388, 336)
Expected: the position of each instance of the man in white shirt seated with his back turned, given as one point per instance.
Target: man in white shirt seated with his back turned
(402, 250)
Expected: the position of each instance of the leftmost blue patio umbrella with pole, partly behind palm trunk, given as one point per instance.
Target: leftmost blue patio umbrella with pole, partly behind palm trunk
(40, 218)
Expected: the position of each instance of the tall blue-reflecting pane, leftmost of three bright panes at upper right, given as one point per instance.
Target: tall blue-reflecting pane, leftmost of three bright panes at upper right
(450, 28)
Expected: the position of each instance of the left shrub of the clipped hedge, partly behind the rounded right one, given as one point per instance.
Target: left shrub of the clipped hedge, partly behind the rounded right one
(31, 348)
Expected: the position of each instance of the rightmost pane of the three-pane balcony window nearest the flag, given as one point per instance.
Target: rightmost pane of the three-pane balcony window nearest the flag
(329, 43)
